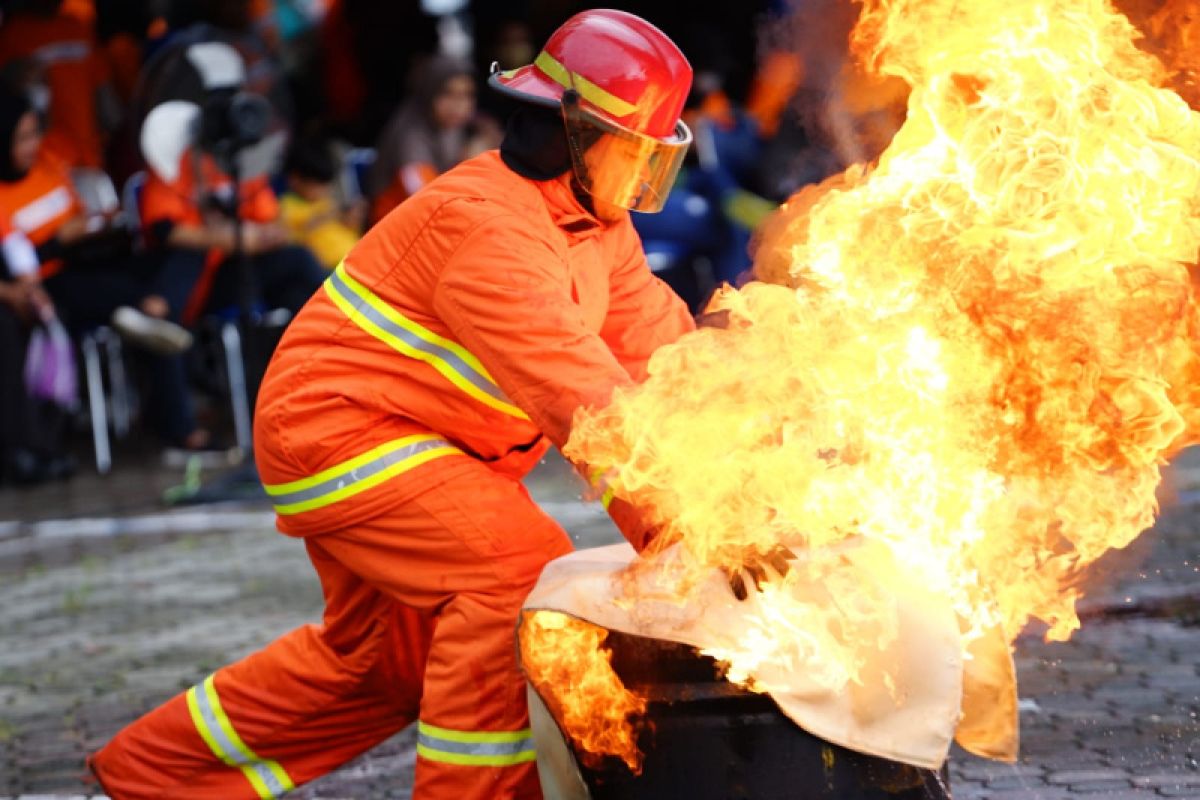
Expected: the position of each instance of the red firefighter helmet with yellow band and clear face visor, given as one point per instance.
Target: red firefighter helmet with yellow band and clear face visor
(622, 86)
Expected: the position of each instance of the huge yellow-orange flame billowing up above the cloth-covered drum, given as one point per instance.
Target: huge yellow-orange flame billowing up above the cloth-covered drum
(977, 352)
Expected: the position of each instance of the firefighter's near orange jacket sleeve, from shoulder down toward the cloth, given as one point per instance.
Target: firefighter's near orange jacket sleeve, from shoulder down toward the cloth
(506, 297)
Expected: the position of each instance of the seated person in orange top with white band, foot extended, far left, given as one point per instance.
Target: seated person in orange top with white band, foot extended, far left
(80, 256)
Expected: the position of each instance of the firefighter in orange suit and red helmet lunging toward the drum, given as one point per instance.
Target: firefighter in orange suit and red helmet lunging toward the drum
(403, 407)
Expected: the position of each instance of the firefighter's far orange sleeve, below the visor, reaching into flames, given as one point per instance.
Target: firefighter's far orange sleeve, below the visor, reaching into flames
(644, 312)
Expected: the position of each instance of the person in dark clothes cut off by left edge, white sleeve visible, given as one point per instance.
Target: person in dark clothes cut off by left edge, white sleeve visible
(29, 438)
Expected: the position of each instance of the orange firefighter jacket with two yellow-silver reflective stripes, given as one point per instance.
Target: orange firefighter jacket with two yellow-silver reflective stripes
(485, 310)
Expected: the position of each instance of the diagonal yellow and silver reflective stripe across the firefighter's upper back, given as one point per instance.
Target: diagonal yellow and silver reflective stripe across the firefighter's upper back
(405, 336)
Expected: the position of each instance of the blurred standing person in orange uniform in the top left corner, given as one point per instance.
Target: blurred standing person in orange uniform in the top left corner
(55, 56)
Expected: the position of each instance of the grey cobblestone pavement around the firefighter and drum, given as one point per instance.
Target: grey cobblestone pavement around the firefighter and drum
(103, 618)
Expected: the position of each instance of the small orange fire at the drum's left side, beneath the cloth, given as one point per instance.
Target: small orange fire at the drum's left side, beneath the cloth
(567, 663)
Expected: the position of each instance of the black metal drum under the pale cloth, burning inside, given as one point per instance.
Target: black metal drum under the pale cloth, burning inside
(704, 738)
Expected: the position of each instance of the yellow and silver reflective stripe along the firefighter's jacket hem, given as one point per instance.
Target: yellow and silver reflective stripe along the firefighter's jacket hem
(358, 474)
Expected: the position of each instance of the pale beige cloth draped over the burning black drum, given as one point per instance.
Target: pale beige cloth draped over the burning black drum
(907, 702)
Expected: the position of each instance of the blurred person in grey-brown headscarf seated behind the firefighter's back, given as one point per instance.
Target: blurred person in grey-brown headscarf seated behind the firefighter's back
(434, 130)
